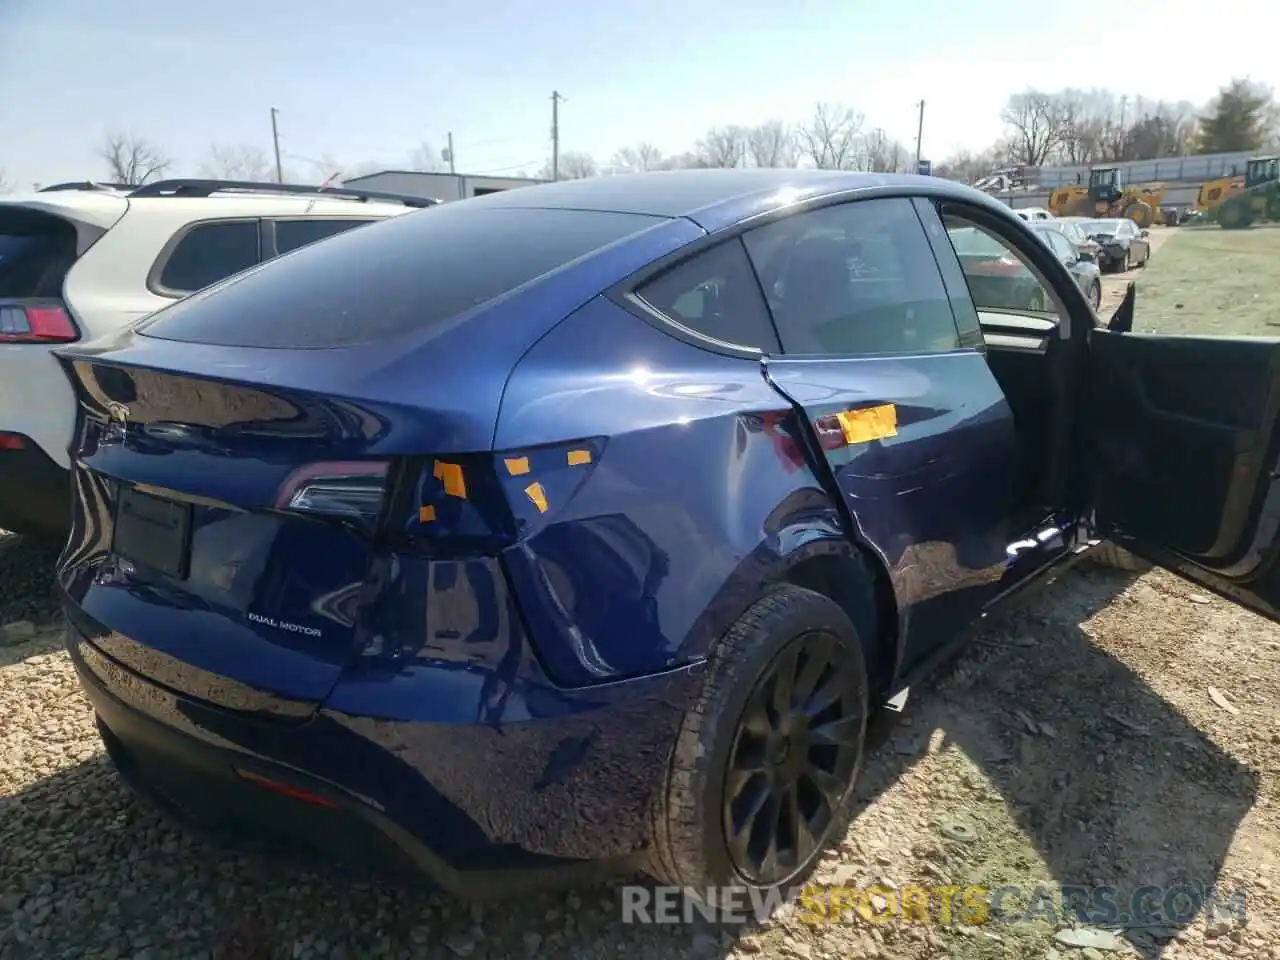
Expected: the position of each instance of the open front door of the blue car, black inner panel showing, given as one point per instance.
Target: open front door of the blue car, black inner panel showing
(1185, 446)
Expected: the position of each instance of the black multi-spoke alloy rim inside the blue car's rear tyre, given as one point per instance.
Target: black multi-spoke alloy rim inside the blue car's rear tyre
(793, 758)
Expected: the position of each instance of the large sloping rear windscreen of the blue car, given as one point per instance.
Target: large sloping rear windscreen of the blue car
(406, 273)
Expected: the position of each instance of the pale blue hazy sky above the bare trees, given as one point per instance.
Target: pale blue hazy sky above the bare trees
(368, 83)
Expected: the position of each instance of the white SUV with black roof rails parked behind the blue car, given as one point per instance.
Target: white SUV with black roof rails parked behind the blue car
(81, 260)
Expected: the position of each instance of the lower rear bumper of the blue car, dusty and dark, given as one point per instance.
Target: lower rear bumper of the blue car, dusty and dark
(493, 808)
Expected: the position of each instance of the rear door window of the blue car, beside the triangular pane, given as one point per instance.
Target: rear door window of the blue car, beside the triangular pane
(854, 280)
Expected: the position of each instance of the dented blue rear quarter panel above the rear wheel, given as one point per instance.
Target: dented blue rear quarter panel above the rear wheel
(700, 499)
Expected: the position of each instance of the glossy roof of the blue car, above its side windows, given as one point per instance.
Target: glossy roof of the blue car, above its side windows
(714, 199)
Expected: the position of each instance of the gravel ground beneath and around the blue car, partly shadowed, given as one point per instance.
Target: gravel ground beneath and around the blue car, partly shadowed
(1110, 730)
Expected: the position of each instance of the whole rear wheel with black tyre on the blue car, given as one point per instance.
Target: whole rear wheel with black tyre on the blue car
(729, 730)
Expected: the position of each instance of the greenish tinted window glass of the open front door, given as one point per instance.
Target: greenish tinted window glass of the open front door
(1213, 282)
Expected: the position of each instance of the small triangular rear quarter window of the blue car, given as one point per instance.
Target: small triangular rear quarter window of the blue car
(716, 295)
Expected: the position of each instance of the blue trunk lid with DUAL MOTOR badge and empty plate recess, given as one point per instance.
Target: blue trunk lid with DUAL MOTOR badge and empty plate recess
(185, 563)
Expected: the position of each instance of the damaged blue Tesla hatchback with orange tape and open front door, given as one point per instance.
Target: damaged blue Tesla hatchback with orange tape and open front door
(588, 523)
